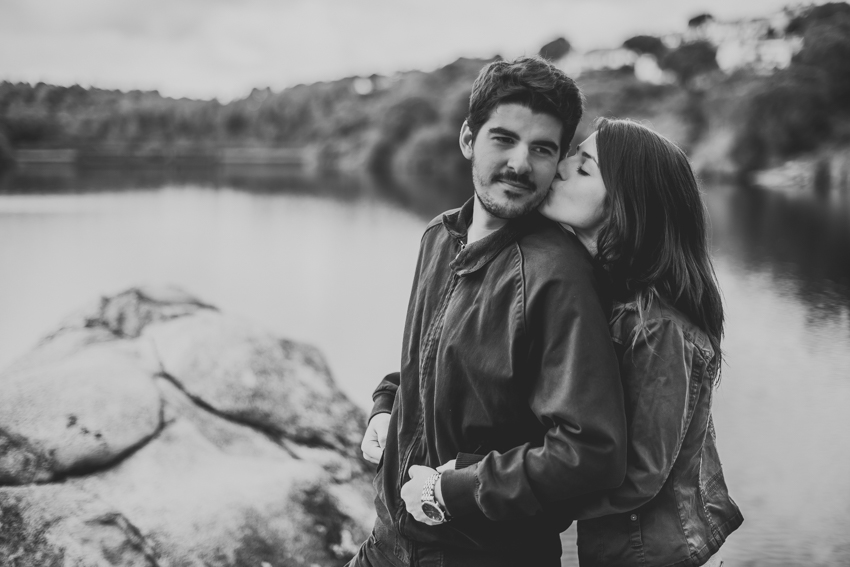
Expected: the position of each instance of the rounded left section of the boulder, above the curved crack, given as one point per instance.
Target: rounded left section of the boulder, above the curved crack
(73, 414)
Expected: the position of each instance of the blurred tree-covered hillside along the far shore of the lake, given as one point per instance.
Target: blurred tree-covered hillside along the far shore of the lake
(408, 123)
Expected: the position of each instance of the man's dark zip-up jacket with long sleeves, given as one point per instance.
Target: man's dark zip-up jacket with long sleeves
(507, 366)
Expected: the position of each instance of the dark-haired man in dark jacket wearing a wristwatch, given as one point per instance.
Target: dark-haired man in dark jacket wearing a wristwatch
(509, 382)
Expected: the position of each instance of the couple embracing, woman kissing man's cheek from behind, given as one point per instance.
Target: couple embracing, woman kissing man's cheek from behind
(560, 352)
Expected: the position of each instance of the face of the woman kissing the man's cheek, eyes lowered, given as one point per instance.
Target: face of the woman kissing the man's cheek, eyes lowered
(577, 196)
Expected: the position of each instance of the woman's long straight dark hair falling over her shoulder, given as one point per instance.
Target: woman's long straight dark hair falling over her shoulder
(655, 241)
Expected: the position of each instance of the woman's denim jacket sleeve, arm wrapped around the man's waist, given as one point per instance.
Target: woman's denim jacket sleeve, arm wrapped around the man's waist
(657, 371)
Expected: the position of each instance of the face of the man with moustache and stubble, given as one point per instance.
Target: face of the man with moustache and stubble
(514, 159)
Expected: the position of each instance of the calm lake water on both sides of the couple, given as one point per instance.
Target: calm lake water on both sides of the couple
(330, 263)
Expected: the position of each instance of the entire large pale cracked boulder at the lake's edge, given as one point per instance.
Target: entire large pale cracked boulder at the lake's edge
(183, 437)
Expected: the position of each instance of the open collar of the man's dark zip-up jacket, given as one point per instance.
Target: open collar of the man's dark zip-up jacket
(478, 254)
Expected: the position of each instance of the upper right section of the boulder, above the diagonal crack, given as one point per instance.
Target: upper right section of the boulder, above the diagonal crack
(249, 375)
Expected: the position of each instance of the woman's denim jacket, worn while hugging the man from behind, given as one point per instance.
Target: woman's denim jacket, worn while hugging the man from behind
(673, 507)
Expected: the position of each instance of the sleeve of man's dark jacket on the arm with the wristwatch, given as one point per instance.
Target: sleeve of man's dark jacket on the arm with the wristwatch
(576, 395)
